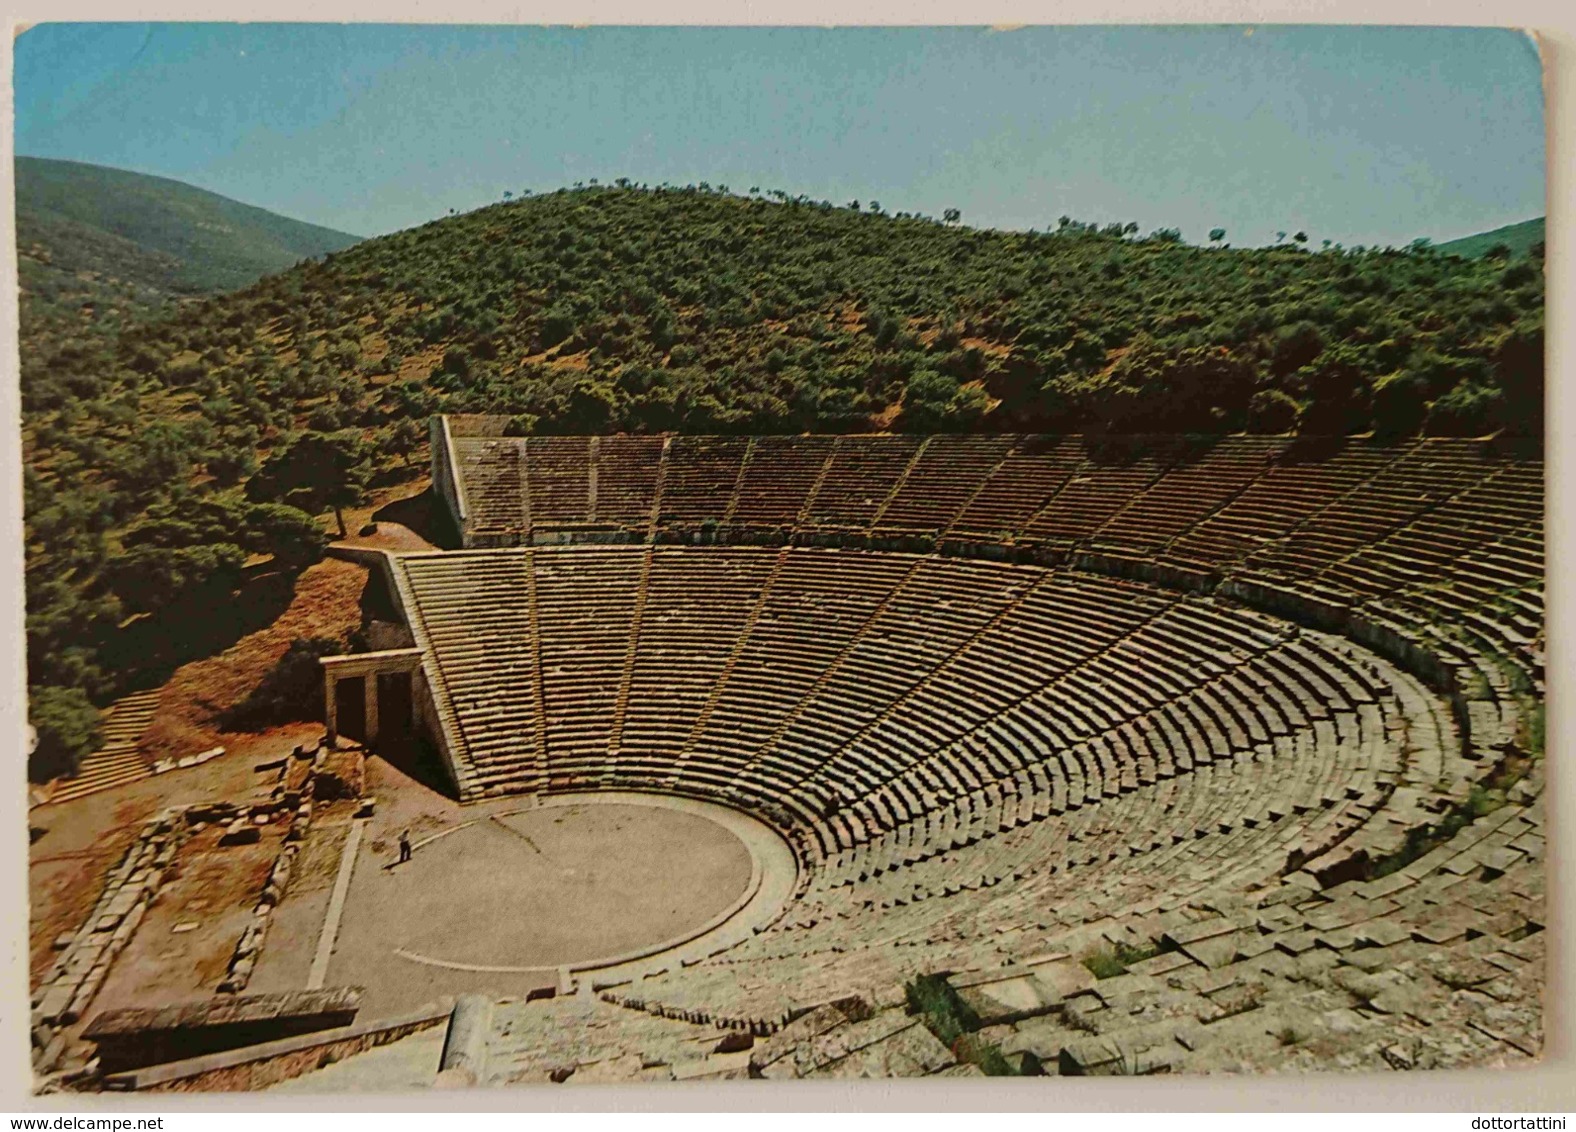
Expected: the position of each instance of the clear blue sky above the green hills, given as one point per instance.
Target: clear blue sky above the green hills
(1353, 135)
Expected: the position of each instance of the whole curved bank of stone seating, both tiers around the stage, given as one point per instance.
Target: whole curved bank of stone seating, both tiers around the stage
(1147, 683)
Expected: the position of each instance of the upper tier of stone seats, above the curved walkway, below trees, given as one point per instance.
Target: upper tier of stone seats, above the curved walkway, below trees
(1422, 534)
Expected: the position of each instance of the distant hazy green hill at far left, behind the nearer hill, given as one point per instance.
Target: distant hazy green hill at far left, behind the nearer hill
(102, 245)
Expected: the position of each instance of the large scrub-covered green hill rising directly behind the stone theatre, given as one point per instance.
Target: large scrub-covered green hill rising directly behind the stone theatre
(620, 308)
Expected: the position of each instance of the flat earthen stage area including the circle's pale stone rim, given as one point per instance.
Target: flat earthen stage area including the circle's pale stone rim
(579, 892)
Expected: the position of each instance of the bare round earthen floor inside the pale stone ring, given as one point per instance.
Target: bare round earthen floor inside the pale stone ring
(567, 885)
